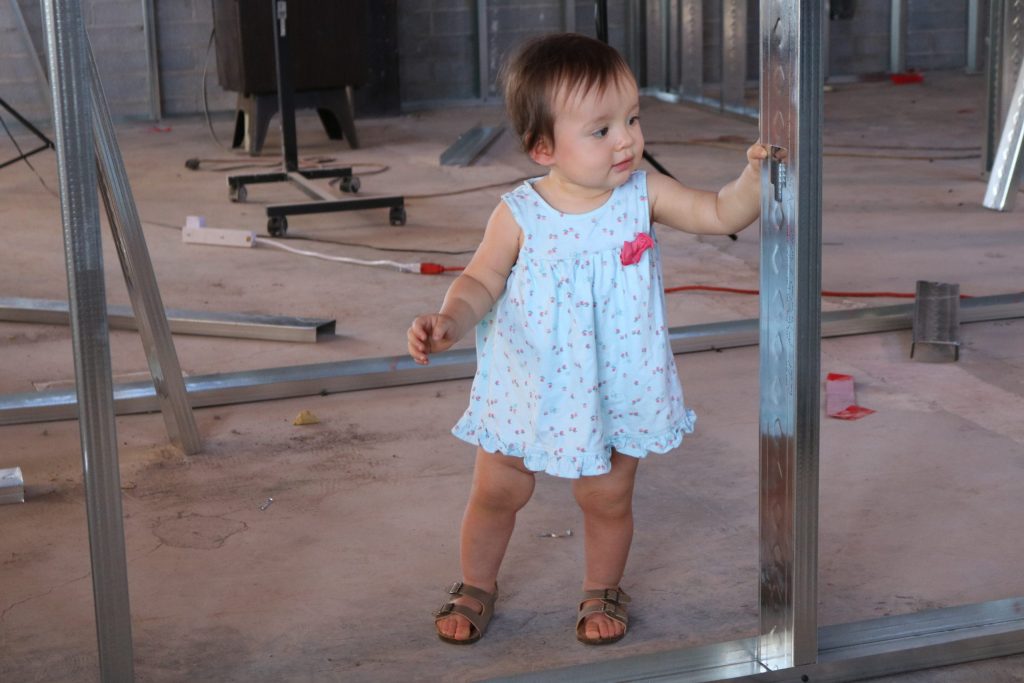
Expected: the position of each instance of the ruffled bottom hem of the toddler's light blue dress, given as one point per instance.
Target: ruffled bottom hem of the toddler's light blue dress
(540, 460)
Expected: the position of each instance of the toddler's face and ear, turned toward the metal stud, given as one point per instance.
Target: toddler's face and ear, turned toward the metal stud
(599, 142)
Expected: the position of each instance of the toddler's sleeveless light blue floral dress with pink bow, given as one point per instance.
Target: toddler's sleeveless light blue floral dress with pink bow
(574, 359)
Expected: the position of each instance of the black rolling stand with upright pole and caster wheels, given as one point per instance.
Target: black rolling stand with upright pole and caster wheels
(325, 202)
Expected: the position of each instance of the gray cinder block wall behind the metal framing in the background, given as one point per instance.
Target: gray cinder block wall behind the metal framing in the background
(440, 60)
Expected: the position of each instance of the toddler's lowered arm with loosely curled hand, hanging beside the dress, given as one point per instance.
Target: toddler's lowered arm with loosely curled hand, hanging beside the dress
(474, 292)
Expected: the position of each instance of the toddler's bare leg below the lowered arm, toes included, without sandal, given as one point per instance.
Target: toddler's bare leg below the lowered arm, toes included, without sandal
(501, 487)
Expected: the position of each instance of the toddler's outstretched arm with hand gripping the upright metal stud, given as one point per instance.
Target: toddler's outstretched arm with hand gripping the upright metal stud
(703, 212)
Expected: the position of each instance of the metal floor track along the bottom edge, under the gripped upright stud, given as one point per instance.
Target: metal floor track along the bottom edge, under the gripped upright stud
(849, 652)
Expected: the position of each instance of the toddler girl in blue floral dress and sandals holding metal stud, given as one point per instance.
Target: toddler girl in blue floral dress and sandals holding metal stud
(575, 373)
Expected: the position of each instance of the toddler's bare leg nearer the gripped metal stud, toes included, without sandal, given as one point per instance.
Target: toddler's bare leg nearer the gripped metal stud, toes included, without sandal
(607, 502)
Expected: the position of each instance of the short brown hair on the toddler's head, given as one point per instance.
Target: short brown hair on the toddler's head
(564, 62)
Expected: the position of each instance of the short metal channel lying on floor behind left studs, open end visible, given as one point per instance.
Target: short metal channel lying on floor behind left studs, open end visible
(235, 326)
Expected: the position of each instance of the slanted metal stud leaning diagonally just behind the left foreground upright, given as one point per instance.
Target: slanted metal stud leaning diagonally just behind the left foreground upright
(140, 276)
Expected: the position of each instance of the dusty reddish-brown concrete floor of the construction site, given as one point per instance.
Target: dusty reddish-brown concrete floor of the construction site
(336, 580)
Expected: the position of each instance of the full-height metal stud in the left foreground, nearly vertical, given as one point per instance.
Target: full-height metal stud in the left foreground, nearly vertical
(69, 66)
